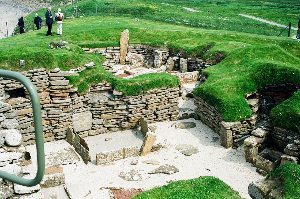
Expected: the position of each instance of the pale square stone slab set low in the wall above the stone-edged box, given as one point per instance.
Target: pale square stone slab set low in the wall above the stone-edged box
(82, 121)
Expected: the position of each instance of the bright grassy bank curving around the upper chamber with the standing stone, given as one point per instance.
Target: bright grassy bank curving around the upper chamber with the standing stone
(251, 61)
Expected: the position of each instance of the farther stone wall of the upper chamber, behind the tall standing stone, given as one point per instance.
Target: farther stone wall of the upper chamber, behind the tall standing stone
(150, 57)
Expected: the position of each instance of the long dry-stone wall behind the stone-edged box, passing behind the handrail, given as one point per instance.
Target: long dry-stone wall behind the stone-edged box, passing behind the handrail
(102, 109)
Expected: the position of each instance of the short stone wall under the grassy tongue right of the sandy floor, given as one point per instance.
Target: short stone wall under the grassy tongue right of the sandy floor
(231, 133)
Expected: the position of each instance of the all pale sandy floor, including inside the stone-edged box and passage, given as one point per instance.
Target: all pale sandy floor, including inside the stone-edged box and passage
(92, 181)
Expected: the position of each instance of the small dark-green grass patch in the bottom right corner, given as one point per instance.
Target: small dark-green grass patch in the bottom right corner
(289, 175)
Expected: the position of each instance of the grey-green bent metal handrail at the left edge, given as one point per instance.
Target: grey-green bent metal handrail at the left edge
(39, 138)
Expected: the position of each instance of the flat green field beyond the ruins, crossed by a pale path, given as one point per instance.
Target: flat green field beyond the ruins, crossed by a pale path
(211, 14)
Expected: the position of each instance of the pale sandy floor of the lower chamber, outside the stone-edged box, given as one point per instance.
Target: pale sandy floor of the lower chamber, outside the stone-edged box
(91, 181)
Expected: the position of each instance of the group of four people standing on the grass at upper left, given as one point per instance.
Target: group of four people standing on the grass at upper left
(59, 16)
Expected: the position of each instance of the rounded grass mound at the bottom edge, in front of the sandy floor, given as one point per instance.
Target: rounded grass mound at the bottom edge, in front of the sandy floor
(203, 187)
